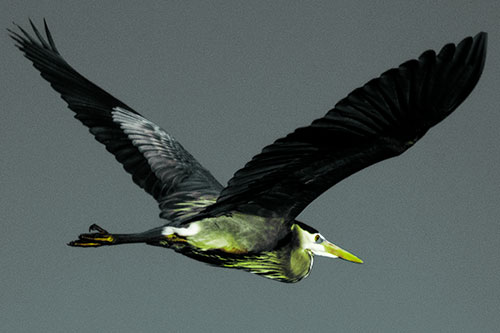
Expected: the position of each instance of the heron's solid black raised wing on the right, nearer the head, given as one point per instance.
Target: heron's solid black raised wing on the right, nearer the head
(377, 121)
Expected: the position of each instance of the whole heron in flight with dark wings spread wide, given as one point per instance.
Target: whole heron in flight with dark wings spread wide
(250, 224)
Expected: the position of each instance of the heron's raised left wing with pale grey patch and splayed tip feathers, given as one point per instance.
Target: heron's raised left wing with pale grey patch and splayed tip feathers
(156, 161)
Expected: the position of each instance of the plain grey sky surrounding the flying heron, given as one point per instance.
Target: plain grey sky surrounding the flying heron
(227, 78)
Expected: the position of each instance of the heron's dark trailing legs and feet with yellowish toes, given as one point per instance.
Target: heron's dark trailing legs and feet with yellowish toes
(100, 237)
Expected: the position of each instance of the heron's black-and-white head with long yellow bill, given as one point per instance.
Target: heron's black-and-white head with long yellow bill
(311, 240)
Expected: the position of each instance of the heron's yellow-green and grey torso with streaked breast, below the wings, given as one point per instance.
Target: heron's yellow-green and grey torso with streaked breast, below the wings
(273, 253)
